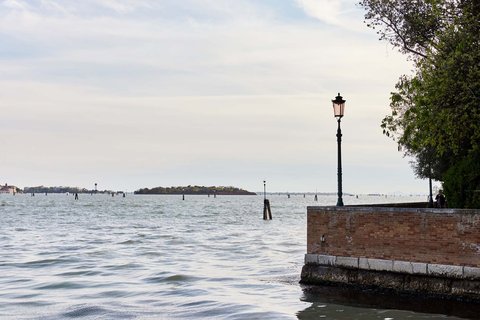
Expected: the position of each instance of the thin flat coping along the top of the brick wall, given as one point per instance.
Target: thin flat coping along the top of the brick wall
(386, 208)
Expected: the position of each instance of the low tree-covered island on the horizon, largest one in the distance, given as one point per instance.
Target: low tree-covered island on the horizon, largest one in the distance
(195, 190)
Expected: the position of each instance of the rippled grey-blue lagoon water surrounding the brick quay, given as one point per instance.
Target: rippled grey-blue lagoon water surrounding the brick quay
(158, 257)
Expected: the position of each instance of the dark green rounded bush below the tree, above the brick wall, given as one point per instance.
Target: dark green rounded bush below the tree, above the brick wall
(462, 182)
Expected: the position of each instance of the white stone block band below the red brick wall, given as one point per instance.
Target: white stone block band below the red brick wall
(406, 267)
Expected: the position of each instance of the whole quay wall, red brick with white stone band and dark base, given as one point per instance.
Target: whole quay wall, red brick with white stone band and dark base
(424, 251)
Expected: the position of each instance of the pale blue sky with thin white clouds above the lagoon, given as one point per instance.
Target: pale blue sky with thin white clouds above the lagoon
(144, 93)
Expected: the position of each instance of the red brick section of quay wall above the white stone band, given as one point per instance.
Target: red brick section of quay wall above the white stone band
(441, 236)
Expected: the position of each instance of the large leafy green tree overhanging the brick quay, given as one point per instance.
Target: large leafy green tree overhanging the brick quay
(435, 113)
